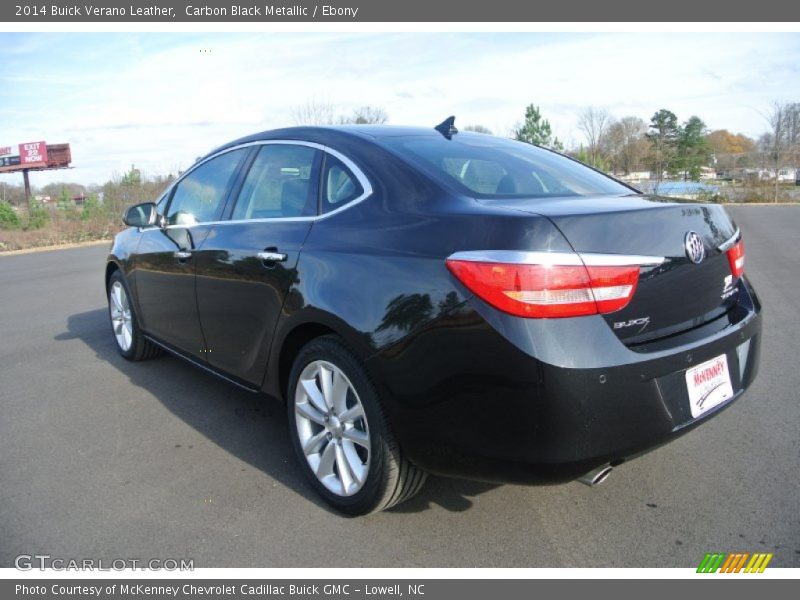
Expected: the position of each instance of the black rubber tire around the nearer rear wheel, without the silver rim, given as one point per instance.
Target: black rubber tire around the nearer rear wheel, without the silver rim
(390, 478)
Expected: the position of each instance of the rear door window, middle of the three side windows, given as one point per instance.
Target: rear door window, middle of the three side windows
(283, 182)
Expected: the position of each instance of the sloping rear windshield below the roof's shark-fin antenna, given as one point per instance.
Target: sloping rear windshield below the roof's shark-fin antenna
(490, 167)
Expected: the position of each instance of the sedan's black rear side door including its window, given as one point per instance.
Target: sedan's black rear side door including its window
(247, 263)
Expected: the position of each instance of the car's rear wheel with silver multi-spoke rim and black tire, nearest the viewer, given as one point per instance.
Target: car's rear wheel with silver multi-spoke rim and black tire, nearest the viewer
(341, 435)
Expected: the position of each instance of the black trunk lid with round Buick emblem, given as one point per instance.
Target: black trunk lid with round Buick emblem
(675, 296)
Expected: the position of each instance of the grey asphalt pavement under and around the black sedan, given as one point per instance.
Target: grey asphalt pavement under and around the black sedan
(106, 459)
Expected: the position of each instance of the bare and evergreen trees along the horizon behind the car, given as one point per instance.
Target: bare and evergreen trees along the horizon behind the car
(663, 147)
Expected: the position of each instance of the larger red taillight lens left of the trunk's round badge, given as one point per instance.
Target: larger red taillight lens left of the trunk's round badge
(548, 291)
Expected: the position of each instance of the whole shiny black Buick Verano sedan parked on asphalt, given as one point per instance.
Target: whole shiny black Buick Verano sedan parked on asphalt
(429, 301)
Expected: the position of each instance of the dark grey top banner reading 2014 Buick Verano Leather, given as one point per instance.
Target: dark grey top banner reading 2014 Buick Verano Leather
(368, 11)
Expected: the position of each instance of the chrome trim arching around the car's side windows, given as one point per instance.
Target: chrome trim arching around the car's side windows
(359, 175)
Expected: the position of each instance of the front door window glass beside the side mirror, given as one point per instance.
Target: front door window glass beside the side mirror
(199, 197)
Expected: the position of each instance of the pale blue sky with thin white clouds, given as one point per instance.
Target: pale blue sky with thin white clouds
(159, 100)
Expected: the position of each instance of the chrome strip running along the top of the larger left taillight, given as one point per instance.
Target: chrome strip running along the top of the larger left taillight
(568, 259)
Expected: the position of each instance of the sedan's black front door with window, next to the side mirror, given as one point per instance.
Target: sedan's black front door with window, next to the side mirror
(165, 260)
